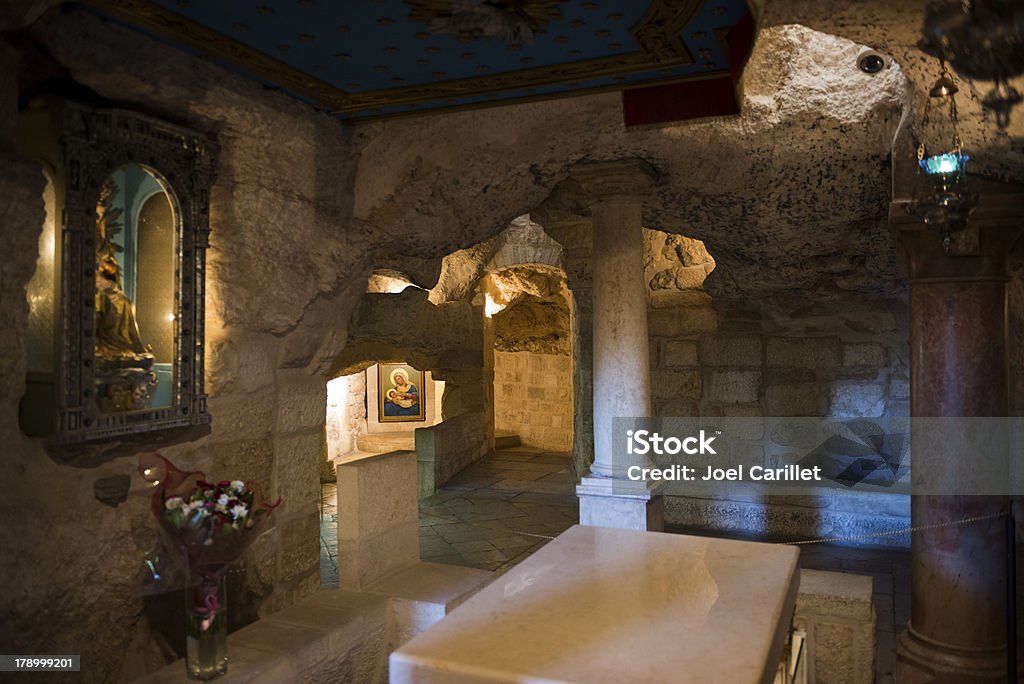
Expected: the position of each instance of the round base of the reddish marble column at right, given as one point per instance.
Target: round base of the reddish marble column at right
(921, 661)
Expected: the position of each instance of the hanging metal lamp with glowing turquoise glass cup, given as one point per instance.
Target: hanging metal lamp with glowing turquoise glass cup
(948, 204)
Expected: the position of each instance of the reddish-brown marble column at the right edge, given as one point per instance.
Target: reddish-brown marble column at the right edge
(959, 368)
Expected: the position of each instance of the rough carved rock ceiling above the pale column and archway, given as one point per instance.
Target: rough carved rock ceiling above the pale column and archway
(791, 198)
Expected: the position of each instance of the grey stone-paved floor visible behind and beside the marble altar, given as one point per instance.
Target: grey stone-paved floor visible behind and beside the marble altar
(502, 509)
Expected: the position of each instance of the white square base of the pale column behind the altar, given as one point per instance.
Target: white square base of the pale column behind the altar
(606, 502)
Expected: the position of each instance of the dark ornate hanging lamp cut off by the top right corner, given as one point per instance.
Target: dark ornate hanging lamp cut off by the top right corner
(984, 40)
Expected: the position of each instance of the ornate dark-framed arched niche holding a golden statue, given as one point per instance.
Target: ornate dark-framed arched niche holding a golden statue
(116, 330)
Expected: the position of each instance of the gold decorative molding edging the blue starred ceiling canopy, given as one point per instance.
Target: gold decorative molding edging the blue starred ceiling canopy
(657, 34)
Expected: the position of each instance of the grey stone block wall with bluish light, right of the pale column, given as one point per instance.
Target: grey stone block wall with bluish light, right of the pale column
(784, 360)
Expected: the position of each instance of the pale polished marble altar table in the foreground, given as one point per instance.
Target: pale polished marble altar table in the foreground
(617, 606)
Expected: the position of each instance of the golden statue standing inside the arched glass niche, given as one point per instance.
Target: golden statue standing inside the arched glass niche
(125, 380)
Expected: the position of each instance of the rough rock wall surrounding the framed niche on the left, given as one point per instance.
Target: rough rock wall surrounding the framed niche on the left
(74, 567)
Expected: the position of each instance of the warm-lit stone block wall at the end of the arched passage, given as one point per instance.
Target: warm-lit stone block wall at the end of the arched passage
(534, 399)
